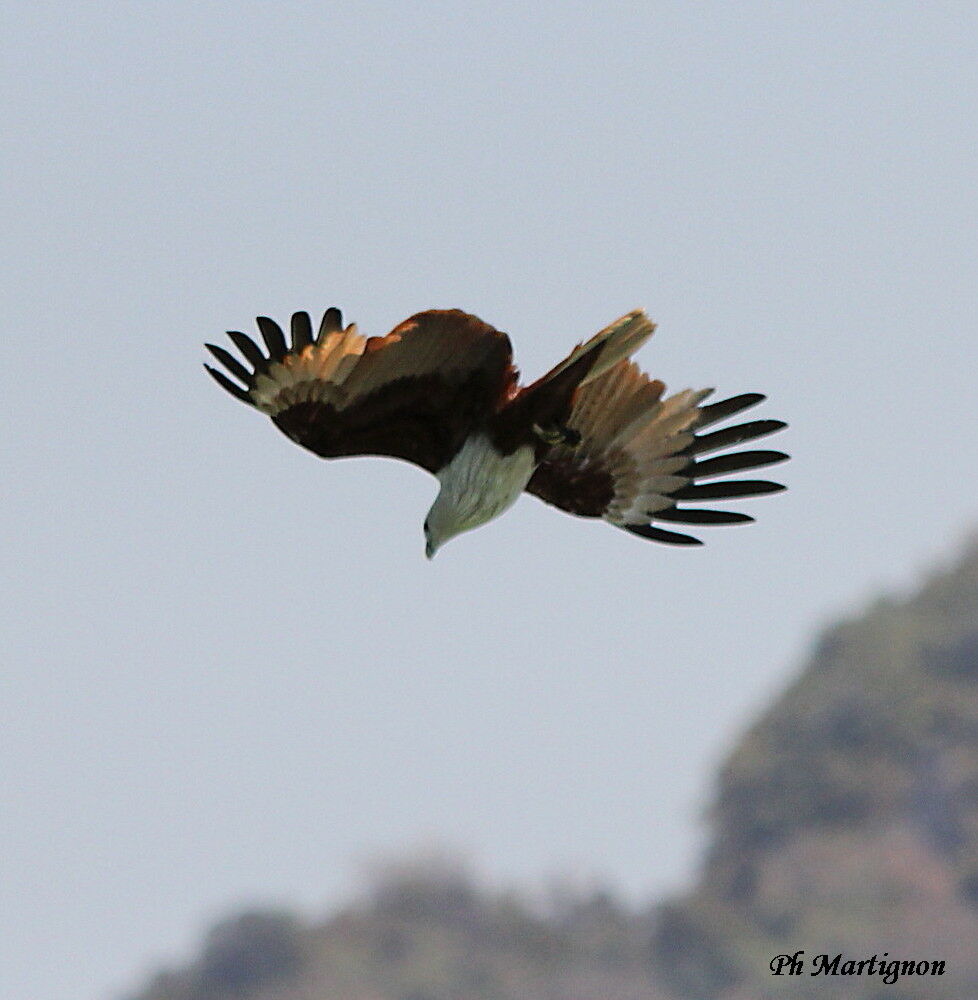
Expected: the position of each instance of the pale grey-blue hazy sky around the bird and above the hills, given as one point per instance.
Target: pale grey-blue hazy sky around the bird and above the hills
(230, 673)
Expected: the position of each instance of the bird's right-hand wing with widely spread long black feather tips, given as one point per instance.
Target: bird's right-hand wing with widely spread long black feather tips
(639, 456)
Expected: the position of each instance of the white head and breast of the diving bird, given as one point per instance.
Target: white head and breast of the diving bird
(476, 486)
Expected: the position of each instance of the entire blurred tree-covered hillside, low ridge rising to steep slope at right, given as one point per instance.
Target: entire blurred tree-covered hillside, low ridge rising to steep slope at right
(845, 821)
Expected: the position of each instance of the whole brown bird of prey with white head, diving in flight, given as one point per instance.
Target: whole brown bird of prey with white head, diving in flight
(594, 436)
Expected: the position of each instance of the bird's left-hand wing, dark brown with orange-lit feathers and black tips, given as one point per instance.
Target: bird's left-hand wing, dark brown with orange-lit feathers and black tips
(415, 394)
